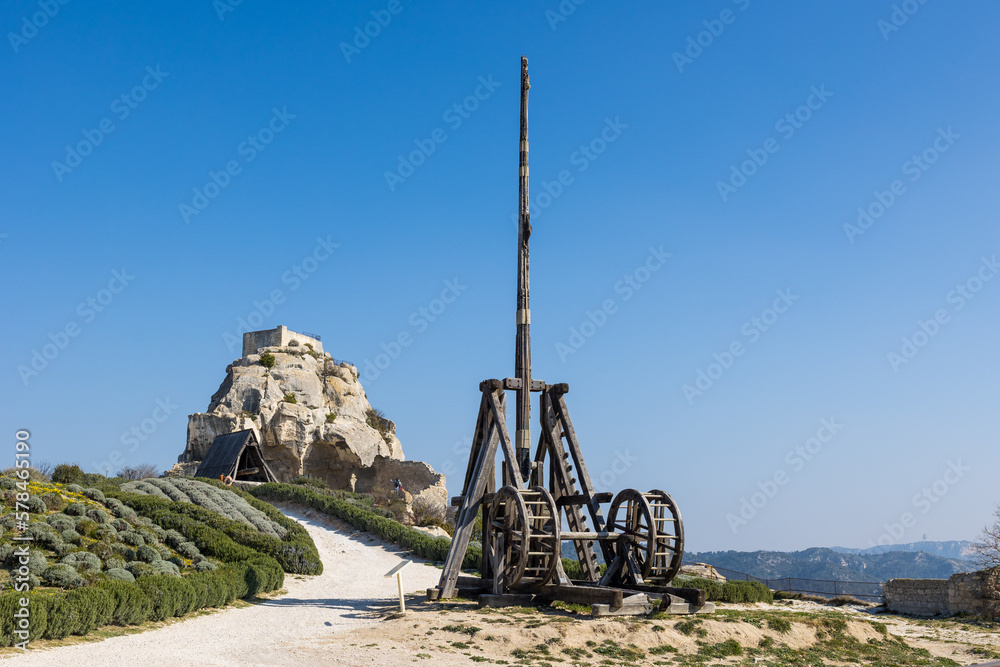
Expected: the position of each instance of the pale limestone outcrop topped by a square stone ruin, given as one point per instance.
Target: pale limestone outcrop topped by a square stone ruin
(312, 417)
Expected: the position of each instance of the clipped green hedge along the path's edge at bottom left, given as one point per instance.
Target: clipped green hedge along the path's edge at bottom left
(55, 615)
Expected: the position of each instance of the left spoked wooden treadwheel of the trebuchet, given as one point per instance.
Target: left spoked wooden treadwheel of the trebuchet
(528, 522)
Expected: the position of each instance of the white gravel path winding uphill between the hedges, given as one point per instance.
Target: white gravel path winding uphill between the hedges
(289, 629)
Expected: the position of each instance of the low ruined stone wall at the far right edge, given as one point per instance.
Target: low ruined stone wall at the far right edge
(970, 592)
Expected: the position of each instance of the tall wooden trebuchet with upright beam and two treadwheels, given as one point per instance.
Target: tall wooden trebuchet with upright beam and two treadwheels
(642, 540)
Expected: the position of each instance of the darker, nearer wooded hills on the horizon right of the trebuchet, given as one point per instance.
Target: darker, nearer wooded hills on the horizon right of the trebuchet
(822, 563)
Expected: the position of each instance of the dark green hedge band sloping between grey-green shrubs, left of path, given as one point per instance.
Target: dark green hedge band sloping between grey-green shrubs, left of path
(229, 540)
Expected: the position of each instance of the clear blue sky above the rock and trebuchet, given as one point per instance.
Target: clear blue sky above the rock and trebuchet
(646, 137)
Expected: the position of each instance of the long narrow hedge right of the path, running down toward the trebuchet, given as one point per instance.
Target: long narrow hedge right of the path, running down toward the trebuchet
(421, 544)
